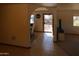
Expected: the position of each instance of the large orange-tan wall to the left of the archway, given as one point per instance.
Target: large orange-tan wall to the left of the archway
(15, 25)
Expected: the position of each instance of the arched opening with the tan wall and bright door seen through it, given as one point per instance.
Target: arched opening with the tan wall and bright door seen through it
(39, 24)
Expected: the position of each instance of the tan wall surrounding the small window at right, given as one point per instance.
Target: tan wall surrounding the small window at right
(67, 20)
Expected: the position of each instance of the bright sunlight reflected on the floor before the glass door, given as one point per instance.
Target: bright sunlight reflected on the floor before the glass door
(48, 42)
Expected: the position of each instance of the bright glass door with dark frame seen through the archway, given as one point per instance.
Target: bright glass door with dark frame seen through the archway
(47, 23)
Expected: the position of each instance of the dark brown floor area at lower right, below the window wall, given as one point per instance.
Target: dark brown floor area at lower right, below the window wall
(70, 45)
